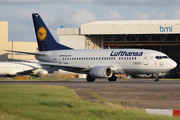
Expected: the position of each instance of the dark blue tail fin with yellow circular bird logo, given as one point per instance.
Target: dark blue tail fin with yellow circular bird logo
(45, 40)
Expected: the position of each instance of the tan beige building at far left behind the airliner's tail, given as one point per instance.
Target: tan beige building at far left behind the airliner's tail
(10, 45)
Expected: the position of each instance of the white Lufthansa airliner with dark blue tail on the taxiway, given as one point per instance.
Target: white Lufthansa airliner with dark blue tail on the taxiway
(97, 63)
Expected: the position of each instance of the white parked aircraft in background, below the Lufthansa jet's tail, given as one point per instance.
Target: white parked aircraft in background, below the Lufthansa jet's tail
(23, 68)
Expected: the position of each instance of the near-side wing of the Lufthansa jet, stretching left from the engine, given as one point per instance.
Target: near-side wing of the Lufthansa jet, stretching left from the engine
(63, 65)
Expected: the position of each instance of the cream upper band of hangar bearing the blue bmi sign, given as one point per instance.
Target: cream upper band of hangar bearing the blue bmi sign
(131, 27)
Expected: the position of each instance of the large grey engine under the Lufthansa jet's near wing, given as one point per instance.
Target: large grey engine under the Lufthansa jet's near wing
(101, 72)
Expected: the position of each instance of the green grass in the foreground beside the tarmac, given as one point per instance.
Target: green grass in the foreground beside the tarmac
(46, 102)
